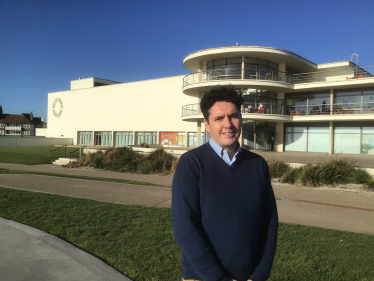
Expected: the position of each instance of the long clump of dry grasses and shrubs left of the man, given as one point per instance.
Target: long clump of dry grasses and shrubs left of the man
(125, 159)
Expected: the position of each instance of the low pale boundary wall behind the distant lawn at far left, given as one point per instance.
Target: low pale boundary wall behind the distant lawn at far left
(33, 141)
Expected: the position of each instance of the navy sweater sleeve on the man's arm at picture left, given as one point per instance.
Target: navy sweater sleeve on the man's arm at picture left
(188, 229)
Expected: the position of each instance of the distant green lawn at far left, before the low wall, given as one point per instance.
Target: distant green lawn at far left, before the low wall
(29, 155)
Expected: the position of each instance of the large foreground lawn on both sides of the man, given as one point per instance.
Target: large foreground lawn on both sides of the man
(138, 241)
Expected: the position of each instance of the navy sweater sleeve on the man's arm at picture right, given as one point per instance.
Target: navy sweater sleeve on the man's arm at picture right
(269, 232)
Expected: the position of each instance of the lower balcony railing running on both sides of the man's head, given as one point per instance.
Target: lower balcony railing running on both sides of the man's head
(295, 110)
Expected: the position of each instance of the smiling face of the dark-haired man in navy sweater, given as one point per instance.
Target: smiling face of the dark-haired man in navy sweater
(225, 124)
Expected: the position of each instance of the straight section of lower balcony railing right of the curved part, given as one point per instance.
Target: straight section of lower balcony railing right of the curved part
(326, 109)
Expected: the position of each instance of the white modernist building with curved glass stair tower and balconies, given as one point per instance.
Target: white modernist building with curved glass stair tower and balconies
(291, 104)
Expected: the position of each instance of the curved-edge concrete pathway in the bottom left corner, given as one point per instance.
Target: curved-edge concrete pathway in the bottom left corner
(29, 254)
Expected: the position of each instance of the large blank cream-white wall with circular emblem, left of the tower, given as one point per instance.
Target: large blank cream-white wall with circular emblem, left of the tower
(150, 105)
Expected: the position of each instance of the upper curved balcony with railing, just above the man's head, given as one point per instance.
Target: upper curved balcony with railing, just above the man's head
(256, 78)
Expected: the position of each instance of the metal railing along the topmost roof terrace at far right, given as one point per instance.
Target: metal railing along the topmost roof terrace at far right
(334, 75)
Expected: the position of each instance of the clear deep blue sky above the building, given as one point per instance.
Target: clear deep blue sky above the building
(46, 44)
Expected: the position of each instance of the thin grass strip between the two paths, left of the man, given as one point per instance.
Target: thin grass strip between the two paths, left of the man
(7, 171)
